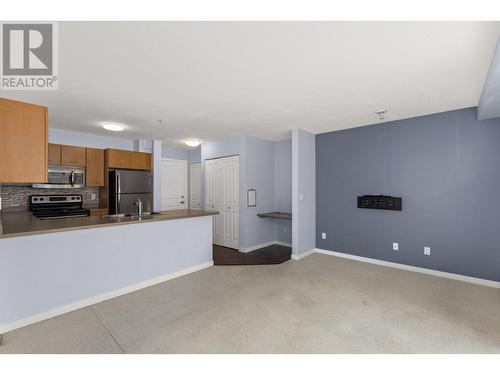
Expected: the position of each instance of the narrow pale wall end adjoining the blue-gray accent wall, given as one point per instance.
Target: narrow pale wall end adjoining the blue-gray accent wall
(303, 191)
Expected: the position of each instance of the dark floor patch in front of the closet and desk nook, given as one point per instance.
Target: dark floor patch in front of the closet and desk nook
(274, 254)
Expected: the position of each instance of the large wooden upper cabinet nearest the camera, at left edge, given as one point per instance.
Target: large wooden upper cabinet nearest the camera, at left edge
(23, 142)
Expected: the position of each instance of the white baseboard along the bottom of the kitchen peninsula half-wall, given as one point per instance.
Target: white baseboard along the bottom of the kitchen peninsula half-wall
(100, 298)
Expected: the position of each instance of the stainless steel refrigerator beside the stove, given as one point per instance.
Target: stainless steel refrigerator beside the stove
(126, 187)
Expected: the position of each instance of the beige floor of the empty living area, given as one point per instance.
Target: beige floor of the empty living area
(320, 304)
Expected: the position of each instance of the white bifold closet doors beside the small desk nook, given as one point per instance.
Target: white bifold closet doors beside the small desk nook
(222, 194)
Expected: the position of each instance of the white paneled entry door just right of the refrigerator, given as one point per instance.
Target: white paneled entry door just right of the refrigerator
(173, 184)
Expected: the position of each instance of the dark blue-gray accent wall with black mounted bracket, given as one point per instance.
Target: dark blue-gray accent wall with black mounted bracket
(446, 168)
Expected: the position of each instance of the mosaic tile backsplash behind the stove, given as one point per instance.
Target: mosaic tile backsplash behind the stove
(17, 196)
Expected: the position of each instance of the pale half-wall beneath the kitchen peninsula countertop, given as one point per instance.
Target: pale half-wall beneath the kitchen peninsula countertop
(48, 274)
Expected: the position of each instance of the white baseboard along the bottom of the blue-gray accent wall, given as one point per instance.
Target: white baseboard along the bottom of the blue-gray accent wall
(448, 275)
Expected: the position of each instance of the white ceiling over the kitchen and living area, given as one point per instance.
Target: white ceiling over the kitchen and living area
(216, 79)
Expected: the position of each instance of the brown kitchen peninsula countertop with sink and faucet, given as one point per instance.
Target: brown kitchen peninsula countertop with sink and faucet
(23, 223)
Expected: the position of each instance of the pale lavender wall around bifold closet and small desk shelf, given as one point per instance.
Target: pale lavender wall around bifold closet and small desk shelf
(263, 165)
